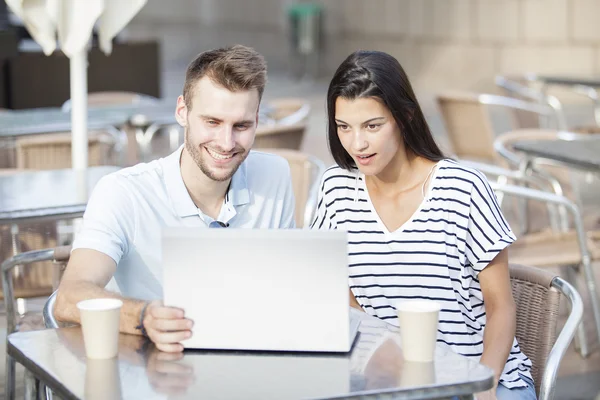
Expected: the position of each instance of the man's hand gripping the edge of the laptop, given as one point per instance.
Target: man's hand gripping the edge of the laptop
(167, 326)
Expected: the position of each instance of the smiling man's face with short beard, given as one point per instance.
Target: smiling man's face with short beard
(219, 127)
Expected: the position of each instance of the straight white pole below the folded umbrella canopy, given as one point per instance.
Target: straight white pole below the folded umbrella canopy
(79, 147)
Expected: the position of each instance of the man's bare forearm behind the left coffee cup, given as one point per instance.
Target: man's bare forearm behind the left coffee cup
(69, 294)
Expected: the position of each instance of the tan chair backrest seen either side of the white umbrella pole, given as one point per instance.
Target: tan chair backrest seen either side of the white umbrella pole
(53, 150)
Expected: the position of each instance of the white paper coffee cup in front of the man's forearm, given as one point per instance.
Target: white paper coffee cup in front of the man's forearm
(100, 325)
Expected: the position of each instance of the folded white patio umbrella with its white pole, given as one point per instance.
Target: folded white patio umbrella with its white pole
(72, 21)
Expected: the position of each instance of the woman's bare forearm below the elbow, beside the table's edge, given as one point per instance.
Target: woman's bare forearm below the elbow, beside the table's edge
(497, 341)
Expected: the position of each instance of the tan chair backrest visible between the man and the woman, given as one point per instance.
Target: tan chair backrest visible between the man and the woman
(306, 172)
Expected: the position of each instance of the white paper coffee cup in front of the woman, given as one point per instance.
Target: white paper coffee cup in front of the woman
(418, 328)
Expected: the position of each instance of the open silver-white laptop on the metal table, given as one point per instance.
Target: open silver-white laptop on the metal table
(265, 290)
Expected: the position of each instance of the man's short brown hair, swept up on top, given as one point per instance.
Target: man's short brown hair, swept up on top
(236, 68)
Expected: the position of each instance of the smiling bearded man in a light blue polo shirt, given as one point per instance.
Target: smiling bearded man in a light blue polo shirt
(212, 181)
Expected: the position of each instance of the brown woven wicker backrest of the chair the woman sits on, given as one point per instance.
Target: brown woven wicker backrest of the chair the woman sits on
(537, 313)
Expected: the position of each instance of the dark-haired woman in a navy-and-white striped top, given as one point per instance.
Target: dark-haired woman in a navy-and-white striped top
(420, 226)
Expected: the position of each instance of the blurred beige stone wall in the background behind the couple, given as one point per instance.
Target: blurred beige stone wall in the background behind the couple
(443, 44)
